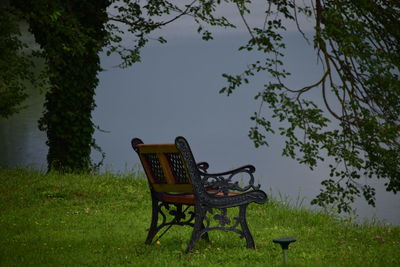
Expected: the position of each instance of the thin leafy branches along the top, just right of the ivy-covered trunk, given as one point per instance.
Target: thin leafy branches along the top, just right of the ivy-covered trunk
(140, 19)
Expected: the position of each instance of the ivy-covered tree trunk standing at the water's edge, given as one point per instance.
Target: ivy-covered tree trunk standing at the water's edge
(71, 34)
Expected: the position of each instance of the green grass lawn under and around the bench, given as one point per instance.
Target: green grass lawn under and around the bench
(101, 220)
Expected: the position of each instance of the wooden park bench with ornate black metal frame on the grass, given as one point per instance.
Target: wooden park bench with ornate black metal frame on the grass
(178, 183)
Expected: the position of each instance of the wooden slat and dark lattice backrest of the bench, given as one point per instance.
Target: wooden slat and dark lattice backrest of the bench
(164, 166)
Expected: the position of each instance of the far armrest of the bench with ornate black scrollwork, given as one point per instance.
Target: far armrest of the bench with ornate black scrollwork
(222, 182)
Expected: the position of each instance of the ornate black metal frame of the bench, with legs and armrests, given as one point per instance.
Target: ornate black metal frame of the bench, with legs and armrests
(214, 193)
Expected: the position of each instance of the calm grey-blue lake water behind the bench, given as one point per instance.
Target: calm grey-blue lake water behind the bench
(174, 91)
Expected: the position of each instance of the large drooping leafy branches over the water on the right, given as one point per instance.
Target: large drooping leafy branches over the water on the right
(358, 46)
